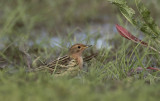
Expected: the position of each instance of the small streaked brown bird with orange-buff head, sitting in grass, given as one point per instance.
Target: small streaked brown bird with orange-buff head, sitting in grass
(73, 59)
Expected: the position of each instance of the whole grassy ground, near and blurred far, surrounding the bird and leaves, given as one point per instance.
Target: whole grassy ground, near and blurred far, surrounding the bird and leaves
(44, 29)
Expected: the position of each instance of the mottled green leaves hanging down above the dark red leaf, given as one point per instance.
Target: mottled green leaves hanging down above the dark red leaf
(143, 21)
